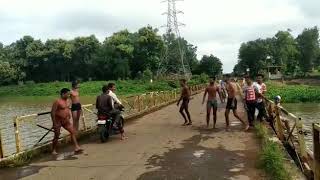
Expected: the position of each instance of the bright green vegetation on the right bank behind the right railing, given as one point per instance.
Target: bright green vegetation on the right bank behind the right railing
(293, 93)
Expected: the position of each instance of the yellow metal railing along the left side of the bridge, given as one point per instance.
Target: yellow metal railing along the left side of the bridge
(35, 130)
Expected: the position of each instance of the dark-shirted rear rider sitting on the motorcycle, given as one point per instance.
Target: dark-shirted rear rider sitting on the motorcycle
(105, 107)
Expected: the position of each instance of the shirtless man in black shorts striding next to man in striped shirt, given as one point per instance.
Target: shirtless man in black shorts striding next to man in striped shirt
(232, 103)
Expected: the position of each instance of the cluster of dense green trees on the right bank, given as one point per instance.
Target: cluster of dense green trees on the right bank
(295, 55)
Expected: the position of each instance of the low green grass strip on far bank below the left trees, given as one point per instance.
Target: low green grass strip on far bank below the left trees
(127, 87)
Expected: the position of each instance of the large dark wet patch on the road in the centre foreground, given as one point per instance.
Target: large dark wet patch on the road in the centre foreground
(193, 161)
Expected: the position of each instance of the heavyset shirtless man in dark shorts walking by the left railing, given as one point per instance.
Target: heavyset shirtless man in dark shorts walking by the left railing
(60, 115)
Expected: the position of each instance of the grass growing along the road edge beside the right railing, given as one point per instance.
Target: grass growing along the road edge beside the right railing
(271, 157)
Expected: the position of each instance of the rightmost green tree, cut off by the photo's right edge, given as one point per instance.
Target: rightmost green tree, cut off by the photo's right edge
(308, 44)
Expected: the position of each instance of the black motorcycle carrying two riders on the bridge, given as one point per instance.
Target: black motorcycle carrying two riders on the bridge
(107, 126)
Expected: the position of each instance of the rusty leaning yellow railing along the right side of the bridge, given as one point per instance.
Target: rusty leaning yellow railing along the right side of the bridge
(290, 130)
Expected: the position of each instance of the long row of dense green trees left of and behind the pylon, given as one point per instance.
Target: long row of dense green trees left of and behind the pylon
(123, 55)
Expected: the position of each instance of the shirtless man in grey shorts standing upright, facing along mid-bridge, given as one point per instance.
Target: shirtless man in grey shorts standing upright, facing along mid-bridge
(212, 102)
